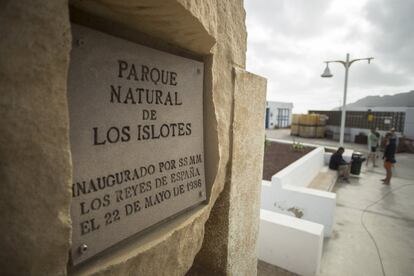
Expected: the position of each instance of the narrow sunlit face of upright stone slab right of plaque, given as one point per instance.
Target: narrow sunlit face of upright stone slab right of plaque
(246, 172)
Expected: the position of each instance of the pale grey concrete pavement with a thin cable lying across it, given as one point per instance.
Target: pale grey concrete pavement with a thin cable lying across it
(389, 219)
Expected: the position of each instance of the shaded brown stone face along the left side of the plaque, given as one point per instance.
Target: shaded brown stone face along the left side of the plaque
(35, 167)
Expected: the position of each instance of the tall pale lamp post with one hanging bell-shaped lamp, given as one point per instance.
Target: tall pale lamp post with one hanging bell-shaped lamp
(327, 74)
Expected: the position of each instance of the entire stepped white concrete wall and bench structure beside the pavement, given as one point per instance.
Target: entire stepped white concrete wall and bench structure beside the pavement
(297, 212)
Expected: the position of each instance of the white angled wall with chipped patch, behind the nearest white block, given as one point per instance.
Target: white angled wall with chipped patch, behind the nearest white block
(288, 192)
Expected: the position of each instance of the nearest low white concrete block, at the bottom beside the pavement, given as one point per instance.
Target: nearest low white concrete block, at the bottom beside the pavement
(290, 243)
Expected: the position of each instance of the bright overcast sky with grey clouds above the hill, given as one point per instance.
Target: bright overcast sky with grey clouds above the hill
(288, 40)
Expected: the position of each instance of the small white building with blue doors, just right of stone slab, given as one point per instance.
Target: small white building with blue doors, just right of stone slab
(278, 114)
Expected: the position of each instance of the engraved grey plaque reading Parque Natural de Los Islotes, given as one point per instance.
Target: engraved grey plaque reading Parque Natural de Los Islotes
(136, 133)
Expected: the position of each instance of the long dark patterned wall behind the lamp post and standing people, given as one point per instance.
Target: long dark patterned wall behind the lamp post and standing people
(362, 119)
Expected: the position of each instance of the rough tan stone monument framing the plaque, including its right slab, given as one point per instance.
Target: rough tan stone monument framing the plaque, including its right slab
(36, 165)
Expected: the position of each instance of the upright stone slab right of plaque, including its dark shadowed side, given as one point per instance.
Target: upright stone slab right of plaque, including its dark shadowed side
(229, 246)
